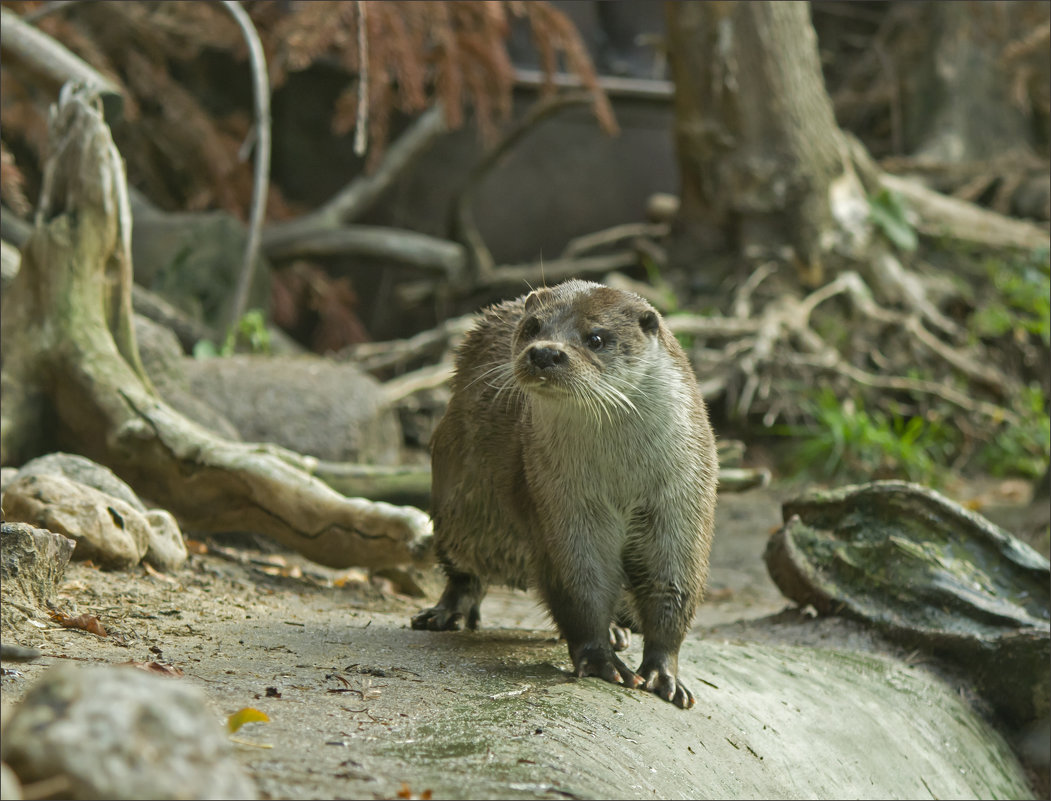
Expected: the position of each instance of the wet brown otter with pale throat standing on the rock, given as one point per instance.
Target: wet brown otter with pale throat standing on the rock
(576, 458)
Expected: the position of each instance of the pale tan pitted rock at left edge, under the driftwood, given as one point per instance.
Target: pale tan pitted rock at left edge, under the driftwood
(108, 530)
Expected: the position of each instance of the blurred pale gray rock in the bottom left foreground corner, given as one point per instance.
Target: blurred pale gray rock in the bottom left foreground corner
(119, 733)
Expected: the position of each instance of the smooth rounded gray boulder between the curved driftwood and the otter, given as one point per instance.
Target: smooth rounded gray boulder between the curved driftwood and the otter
(311, 405)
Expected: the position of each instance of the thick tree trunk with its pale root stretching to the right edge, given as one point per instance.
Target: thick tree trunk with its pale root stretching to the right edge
(767, 172)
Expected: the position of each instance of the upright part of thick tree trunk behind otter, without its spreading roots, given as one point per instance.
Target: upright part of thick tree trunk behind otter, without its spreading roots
(758, 143)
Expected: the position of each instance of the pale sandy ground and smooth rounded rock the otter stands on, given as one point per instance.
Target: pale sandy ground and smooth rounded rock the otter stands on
(361, 706)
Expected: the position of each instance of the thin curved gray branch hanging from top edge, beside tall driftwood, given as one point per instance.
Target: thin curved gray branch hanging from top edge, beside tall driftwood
(261, 92)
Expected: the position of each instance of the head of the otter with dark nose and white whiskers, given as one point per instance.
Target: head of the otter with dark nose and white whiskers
(587, 344)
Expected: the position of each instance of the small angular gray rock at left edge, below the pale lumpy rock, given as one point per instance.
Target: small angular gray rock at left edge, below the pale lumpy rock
(32, 564)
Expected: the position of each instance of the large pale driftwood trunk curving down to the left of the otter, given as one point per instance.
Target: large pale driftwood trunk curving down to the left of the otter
(69, 348)
